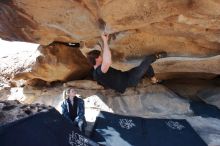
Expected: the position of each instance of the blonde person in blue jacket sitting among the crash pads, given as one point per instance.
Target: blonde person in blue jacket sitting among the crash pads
(73, 109)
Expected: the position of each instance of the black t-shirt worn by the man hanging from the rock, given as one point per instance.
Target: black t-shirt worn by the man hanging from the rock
(113, 78)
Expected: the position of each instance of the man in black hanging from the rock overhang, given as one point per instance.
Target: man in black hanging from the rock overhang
(115, 79)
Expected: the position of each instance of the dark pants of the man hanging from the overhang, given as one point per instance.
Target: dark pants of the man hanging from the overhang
(135, 74)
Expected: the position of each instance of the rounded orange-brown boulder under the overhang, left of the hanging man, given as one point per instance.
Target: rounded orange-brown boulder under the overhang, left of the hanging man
(57, 62)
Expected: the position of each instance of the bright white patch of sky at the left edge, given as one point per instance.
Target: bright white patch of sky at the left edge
(7, 47)
